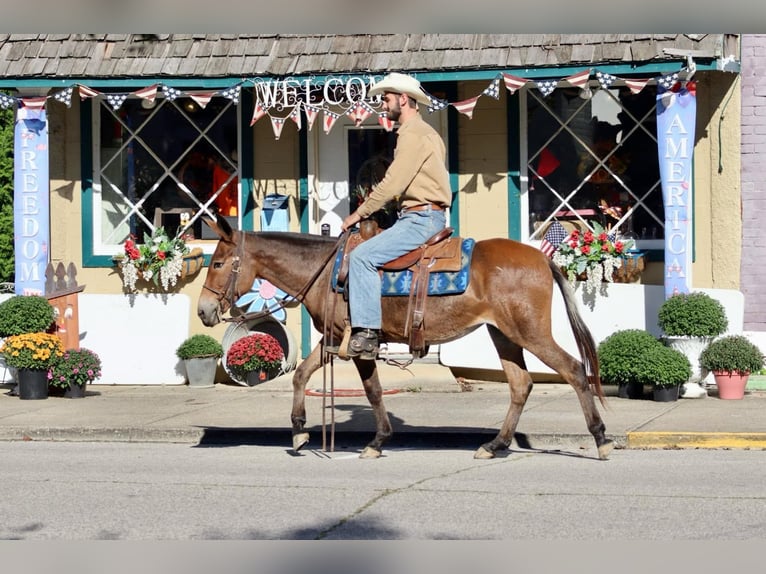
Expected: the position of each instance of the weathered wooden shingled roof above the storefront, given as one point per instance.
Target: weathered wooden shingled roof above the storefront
(59, 56)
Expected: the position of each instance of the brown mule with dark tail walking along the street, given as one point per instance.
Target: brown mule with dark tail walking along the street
(510, 290)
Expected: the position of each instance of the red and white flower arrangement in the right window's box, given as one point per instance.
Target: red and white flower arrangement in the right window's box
(591, 256)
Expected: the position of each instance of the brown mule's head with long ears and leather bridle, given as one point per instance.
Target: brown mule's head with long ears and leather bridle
(228, 277)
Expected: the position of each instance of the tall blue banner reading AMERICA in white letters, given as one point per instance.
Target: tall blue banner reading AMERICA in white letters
(676, 117)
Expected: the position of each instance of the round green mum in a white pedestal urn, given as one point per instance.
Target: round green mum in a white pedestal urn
(690, 321)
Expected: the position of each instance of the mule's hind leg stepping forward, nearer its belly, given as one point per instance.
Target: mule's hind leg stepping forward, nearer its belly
(520, 384)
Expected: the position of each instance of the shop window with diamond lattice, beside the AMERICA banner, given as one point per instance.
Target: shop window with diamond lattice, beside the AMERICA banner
(592, 157)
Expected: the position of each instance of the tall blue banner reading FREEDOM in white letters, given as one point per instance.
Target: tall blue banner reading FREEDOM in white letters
(31, 201)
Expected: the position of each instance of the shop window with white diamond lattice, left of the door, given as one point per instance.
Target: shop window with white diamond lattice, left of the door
(163, 164)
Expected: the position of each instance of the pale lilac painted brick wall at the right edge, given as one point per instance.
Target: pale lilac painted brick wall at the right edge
(753, 122)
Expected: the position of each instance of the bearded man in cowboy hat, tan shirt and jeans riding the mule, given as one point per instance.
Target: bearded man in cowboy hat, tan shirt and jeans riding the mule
(419, 177)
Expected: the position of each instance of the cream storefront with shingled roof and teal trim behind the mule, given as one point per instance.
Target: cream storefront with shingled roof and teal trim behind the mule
(271, 146)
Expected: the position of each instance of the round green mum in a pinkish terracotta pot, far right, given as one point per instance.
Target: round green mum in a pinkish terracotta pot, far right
(731, 359)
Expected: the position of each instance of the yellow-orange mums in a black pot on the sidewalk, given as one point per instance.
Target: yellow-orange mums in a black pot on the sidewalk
(32, 354)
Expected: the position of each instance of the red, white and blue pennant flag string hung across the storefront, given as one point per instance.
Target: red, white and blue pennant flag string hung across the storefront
(358, 111)
